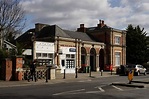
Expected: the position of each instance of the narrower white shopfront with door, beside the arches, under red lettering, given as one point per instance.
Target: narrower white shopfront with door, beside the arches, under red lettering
(68, 59)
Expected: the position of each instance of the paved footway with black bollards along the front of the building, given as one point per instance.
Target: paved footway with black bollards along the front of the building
(59, 79)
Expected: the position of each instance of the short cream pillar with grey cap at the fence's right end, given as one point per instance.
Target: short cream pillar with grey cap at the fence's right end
(51, 71)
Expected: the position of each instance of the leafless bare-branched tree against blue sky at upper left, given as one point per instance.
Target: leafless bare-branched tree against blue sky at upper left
(12, 18)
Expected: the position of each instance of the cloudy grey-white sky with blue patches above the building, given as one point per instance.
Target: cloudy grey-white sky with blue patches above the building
(69, 14)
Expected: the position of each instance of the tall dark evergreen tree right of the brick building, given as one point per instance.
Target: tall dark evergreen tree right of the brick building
(136, 50)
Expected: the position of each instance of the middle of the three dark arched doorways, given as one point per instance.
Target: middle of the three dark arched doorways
(93, 59)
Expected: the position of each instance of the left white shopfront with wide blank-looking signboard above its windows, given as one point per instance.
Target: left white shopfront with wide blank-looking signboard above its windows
(44, 52)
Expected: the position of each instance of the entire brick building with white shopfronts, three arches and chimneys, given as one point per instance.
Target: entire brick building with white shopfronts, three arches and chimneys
(99, 47)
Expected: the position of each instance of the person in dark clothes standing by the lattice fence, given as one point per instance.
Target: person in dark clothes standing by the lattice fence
(32, 71)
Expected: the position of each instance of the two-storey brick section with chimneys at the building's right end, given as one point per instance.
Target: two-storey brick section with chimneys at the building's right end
(114, 39)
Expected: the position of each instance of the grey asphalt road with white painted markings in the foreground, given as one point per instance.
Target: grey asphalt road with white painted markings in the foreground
(93, 88)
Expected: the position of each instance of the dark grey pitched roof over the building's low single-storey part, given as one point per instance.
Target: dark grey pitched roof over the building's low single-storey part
(52, 31)
